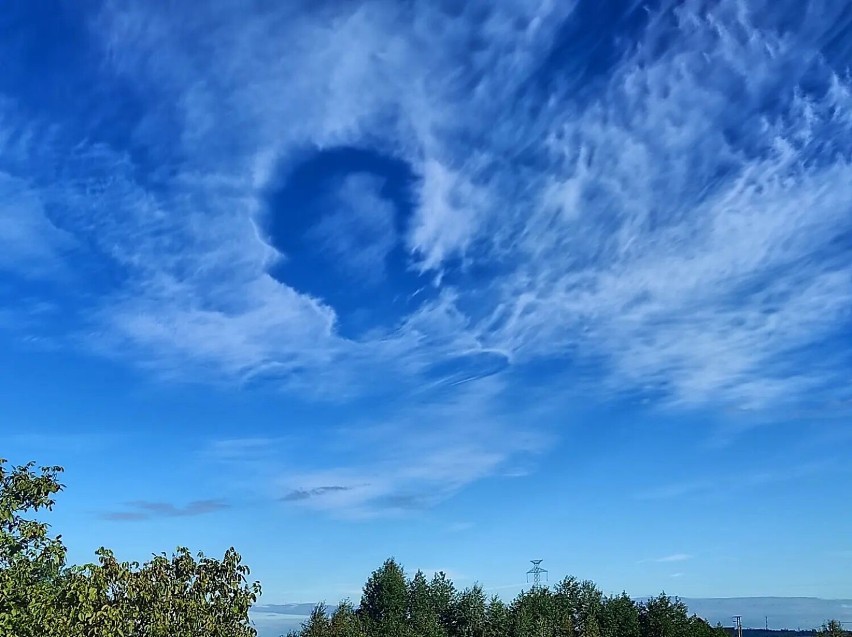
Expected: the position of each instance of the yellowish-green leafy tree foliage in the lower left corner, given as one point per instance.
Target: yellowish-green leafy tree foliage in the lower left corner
(177, 596)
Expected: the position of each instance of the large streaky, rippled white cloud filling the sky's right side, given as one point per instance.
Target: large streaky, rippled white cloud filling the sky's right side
(688, 256)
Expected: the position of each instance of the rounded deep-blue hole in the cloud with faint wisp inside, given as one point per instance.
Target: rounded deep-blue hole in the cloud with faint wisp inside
(339, 219)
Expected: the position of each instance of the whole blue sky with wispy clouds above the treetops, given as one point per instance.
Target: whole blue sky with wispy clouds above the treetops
(340, 281)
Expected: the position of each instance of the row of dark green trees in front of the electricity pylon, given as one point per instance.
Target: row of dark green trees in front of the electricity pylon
(393, 605)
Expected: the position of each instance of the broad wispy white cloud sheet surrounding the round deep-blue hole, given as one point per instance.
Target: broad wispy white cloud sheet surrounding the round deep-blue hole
(653, 172)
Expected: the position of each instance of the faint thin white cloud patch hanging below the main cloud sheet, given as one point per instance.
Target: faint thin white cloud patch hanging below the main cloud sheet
(411, 459)
